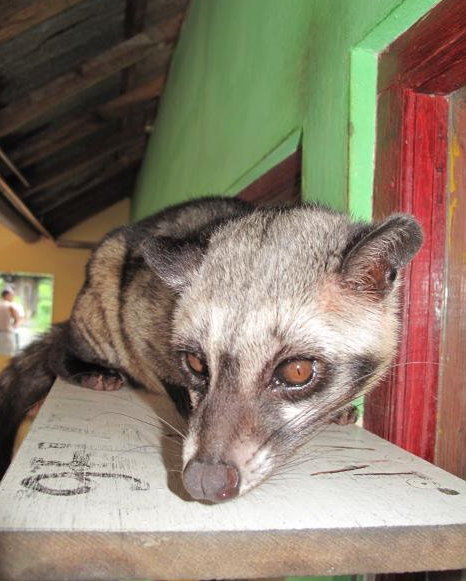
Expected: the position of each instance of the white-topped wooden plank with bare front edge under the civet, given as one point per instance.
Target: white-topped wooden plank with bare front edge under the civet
(87, 498)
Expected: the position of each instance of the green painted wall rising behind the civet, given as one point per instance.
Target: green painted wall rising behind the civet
(248, 78)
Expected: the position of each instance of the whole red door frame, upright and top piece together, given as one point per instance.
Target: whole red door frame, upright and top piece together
(416, 73)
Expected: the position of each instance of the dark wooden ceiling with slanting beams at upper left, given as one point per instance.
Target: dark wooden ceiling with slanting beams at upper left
(79, 86)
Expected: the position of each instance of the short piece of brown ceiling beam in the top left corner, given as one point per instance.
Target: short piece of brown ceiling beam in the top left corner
(19, 19)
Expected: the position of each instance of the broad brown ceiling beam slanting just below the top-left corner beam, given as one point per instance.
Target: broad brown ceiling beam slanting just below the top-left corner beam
(90, 73)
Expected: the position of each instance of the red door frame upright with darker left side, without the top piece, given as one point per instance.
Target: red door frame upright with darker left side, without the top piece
(412, 163)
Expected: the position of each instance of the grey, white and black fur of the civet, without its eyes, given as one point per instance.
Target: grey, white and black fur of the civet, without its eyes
(244, 289)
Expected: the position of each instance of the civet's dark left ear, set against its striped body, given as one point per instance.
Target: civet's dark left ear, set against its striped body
(173, 260)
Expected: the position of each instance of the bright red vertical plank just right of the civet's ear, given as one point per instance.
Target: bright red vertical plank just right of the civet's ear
(424, 324)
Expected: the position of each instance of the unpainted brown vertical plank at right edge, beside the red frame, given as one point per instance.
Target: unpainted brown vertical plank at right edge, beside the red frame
(450, 451)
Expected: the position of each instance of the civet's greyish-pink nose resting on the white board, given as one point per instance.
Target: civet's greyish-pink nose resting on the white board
(211, 481)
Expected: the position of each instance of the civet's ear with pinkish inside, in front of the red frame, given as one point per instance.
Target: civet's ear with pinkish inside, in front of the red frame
(372, 264)
